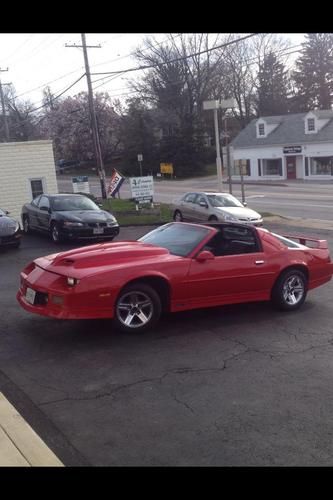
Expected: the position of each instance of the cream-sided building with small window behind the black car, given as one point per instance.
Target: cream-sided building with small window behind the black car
(27, 169)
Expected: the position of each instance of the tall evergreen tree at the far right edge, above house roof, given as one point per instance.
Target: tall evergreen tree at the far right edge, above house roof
(313, 76)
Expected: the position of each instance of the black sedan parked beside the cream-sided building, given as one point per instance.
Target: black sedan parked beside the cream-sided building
(68, 216)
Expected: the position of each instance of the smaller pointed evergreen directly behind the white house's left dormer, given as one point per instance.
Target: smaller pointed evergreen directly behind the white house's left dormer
(272, 90)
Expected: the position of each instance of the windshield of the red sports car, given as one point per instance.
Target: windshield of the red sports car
(180, 239)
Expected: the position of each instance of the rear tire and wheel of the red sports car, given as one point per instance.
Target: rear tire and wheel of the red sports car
(290, 290)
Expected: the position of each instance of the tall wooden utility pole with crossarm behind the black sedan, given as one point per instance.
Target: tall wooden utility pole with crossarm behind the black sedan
(97, 144)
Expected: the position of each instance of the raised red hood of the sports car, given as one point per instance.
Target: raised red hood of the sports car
(92, 259)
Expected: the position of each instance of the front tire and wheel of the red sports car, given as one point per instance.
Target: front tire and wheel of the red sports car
(137, 309)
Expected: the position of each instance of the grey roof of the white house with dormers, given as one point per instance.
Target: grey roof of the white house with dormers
(290, 131)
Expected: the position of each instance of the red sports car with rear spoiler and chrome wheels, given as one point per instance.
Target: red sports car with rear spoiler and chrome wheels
(175, 267)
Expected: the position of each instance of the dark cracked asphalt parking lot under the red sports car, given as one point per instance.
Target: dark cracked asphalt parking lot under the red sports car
(237, 385)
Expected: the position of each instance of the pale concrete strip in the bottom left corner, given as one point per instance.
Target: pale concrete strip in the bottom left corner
(19, 444)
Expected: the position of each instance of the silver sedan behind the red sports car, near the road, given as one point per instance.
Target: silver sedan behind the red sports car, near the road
(200, 206)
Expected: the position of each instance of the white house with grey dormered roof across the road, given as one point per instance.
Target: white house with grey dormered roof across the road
(294, 146)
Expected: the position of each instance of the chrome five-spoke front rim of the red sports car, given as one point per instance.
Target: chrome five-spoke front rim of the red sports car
(134, 309)
